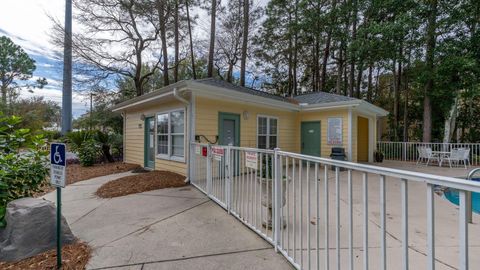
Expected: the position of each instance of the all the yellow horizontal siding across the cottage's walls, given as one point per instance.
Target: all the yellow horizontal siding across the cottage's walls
(206, 123)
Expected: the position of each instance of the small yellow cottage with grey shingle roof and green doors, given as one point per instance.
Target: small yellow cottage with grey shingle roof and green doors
(158, 126)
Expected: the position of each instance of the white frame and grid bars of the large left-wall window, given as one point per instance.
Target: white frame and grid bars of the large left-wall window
(169, 156)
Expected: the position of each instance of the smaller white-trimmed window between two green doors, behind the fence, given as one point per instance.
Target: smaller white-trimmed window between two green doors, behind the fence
(267, 132)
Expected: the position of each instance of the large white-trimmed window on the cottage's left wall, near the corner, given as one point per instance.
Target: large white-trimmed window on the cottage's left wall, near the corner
(171, 134)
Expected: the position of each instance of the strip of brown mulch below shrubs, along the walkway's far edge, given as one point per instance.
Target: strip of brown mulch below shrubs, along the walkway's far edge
(77, 173)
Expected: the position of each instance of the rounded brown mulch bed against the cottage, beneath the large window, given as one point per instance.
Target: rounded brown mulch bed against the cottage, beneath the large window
(140, 183)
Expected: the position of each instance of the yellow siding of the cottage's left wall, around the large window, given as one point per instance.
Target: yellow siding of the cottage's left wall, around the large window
(134, 137)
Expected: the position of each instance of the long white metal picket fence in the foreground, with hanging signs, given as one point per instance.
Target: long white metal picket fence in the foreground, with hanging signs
(325, 214)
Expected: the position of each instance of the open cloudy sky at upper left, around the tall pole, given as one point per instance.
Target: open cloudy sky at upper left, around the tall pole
(26, 22)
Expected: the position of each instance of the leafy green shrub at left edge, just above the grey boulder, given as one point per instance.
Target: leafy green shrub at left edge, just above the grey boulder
(23, 163)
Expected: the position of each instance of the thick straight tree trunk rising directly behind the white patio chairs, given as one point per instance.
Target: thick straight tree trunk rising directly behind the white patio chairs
(430, 51)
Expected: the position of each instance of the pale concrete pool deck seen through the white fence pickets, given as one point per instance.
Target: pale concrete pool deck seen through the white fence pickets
(446, 221)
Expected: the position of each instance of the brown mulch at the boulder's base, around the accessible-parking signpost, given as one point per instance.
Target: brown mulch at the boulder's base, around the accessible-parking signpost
(74, 256)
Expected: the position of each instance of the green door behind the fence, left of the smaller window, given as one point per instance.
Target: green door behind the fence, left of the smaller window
(229, 129)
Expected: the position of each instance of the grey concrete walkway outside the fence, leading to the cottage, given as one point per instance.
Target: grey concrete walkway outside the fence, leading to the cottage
(176, 228)
